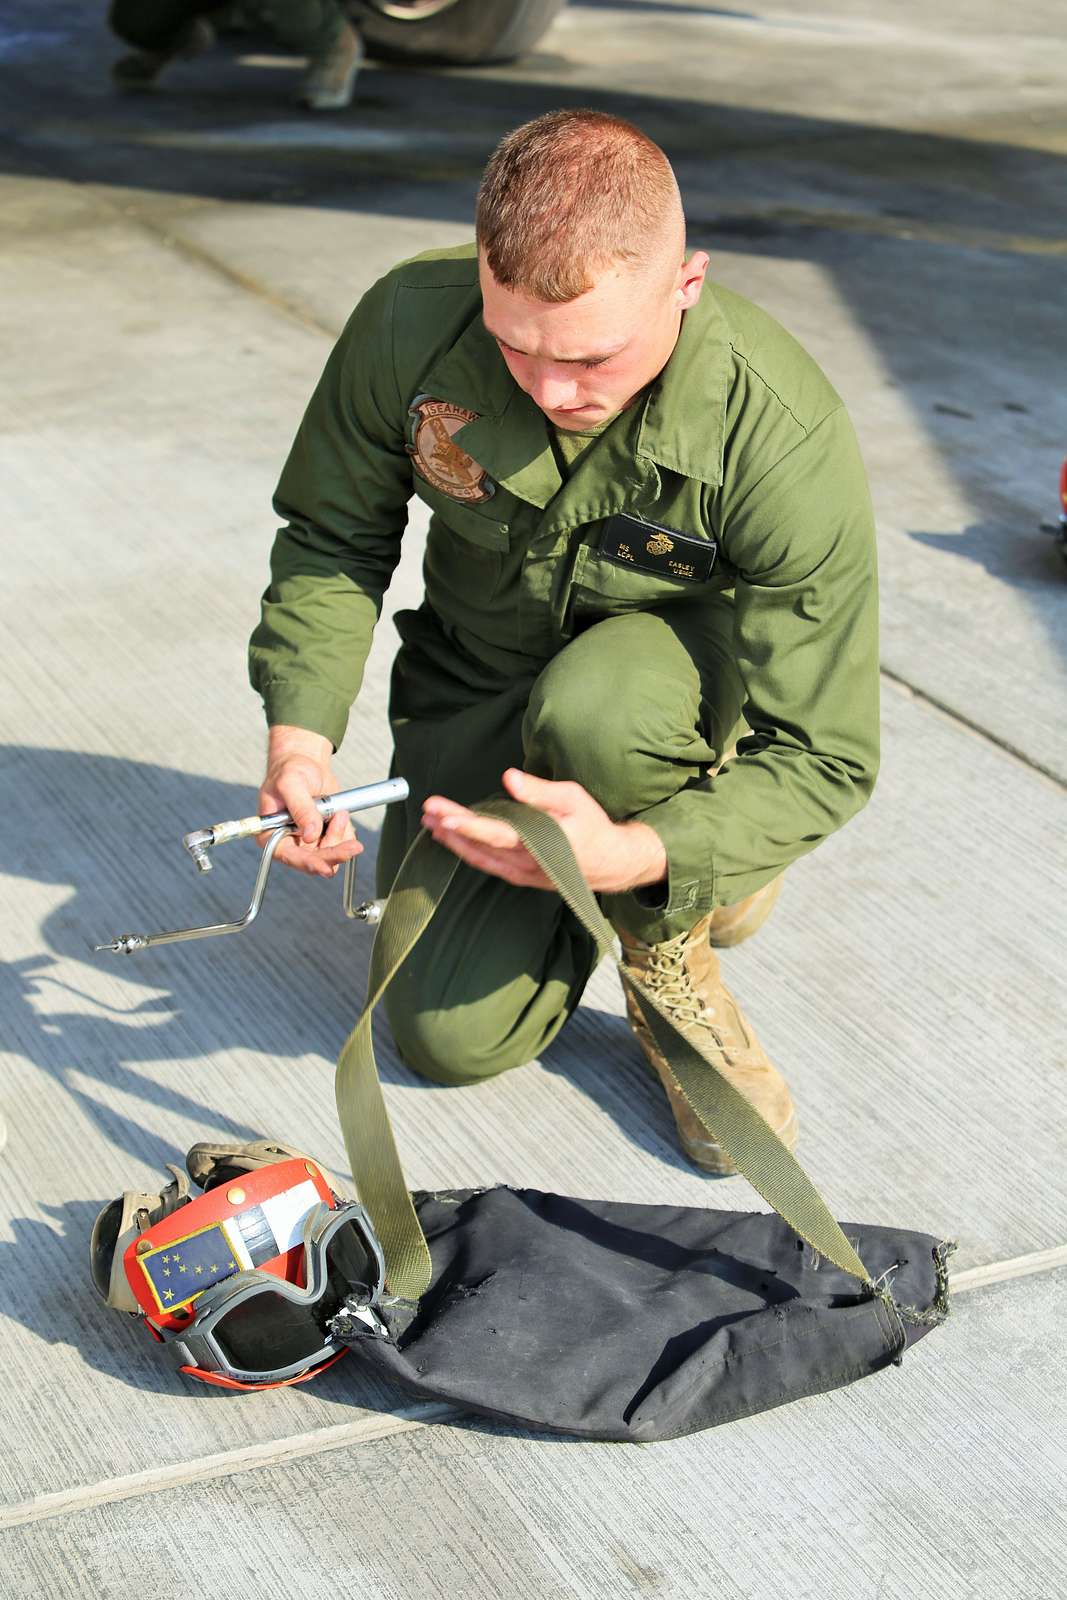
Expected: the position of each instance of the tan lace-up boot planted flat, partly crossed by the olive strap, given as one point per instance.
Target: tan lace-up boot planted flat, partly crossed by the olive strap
(684, 975)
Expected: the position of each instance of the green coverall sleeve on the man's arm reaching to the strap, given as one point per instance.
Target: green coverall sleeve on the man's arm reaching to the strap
(807, 646)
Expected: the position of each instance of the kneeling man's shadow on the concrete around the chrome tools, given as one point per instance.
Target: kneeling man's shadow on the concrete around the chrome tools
(129, 873)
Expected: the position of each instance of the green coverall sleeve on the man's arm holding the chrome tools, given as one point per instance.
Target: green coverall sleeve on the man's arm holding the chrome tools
(343, 495)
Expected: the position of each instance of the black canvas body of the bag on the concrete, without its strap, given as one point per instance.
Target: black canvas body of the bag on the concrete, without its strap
(641, 1322)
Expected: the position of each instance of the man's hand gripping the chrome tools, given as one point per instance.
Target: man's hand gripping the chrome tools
(298, 770)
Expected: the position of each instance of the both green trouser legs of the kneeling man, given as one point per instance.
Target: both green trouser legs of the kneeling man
(634, 710)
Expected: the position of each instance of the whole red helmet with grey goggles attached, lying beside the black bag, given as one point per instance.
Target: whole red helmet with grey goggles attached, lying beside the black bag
(257, 1281)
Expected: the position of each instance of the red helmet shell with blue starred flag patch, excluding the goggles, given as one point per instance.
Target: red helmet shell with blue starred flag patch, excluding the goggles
(257, 1222)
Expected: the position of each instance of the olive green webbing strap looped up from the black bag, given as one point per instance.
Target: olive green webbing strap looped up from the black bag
(732, 1121)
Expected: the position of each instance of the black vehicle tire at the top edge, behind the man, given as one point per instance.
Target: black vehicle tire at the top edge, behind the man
(460, 33)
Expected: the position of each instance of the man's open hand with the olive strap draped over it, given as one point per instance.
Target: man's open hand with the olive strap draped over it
(613, 857)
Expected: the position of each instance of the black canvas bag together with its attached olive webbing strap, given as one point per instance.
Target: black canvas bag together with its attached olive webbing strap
(618, 1321)
